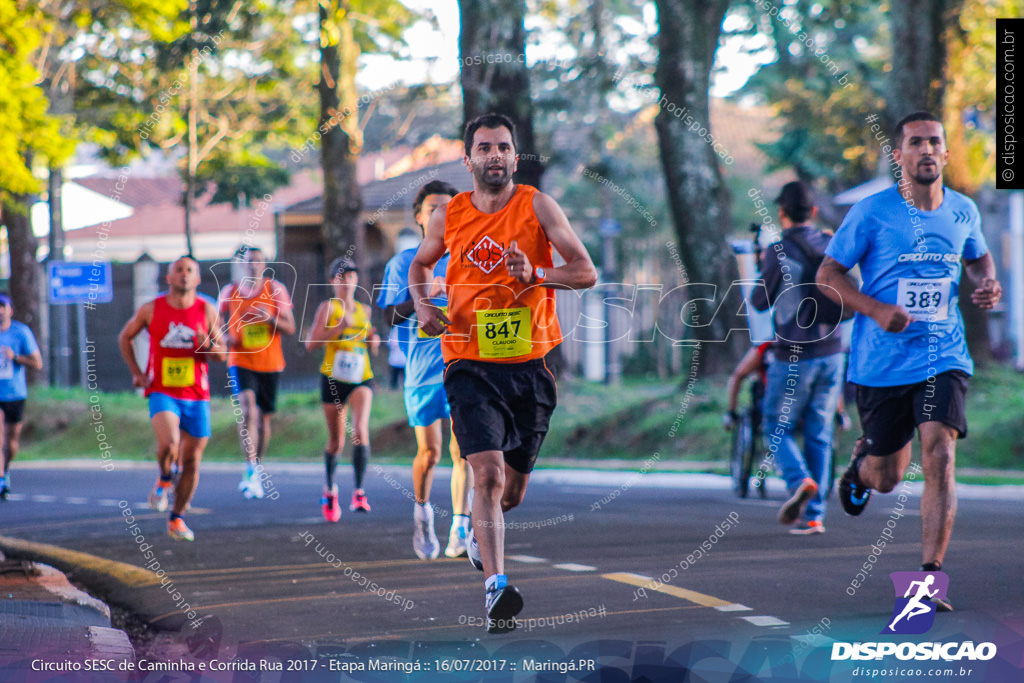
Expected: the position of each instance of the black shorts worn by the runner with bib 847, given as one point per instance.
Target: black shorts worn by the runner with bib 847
(501, 407)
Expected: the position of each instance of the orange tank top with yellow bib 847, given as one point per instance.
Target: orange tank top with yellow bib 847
(495, 318)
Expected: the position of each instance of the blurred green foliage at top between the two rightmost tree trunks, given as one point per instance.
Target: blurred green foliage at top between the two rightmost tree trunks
(828, 74)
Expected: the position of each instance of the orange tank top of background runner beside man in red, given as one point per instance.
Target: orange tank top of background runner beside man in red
(258, 345)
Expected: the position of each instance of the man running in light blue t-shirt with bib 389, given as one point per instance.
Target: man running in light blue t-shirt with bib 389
(909, 355)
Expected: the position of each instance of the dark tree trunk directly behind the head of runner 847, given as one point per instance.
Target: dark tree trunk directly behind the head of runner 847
(493, 48)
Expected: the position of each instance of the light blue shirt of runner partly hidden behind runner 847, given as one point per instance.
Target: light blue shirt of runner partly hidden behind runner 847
(424, 364)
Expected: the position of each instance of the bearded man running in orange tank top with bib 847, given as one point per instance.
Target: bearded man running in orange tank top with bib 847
(500, 325)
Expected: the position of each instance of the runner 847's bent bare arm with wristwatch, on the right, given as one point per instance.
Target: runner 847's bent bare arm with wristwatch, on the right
(579, 272)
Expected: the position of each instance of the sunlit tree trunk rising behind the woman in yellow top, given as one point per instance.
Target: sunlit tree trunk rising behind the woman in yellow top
(342, 141)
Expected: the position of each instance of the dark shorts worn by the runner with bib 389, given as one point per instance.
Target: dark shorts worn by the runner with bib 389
(890, 415)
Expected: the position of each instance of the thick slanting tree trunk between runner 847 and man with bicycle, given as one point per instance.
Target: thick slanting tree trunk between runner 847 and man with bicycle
(699, 199)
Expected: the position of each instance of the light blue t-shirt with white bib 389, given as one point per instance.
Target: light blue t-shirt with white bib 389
(911, 259)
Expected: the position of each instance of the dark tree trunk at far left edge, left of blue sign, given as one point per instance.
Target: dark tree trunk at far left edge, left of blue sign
(26, 274)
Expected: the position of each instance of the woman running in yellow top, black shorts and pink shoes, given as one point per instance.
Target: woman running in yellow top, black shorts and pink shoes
(343, 328)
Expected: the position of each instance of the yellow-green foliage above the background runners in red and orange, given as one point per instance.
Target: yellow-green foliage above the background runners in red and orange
(250, 73)
